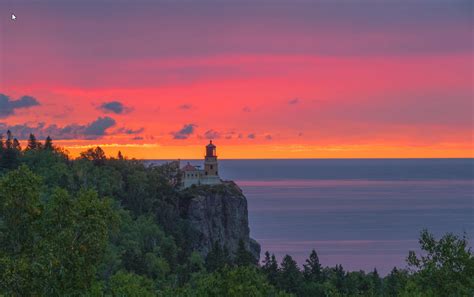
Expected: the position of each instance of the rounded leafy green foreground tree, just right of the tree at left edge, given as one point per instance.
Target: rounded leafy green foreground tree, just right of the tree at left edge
(75, 232)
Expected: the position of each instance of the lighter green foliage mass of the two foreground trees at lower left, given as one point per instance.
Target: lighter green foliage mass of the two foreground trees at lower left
(49, 247)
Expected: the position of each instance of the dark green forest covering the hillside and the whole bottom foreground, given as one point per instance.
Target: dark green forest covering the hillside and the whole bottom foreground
(112, 226)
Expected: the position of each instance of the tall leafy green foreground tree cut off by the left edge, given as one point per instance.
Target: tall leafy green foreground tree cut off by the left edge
(20, 210)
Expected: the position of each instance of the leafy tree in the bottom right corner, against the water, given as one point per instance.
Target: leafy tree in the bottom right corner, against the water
(446, 266)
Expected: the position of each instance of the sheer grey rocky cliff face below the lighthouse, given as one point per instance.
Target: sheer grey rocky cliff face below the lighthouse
(219, 213)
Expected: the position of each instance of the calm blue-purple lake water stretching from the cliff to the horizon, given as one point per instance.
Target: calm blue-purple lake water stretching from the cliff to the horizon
(358, 213)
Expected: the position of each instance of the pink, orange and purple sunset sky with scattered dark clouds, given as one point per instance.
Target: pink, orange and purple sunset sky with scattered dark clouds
(263, 79)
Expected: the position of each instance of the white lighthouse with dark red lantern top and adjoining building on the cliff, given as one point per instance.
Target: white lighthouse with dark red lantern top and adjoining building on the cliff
(194, 175)
